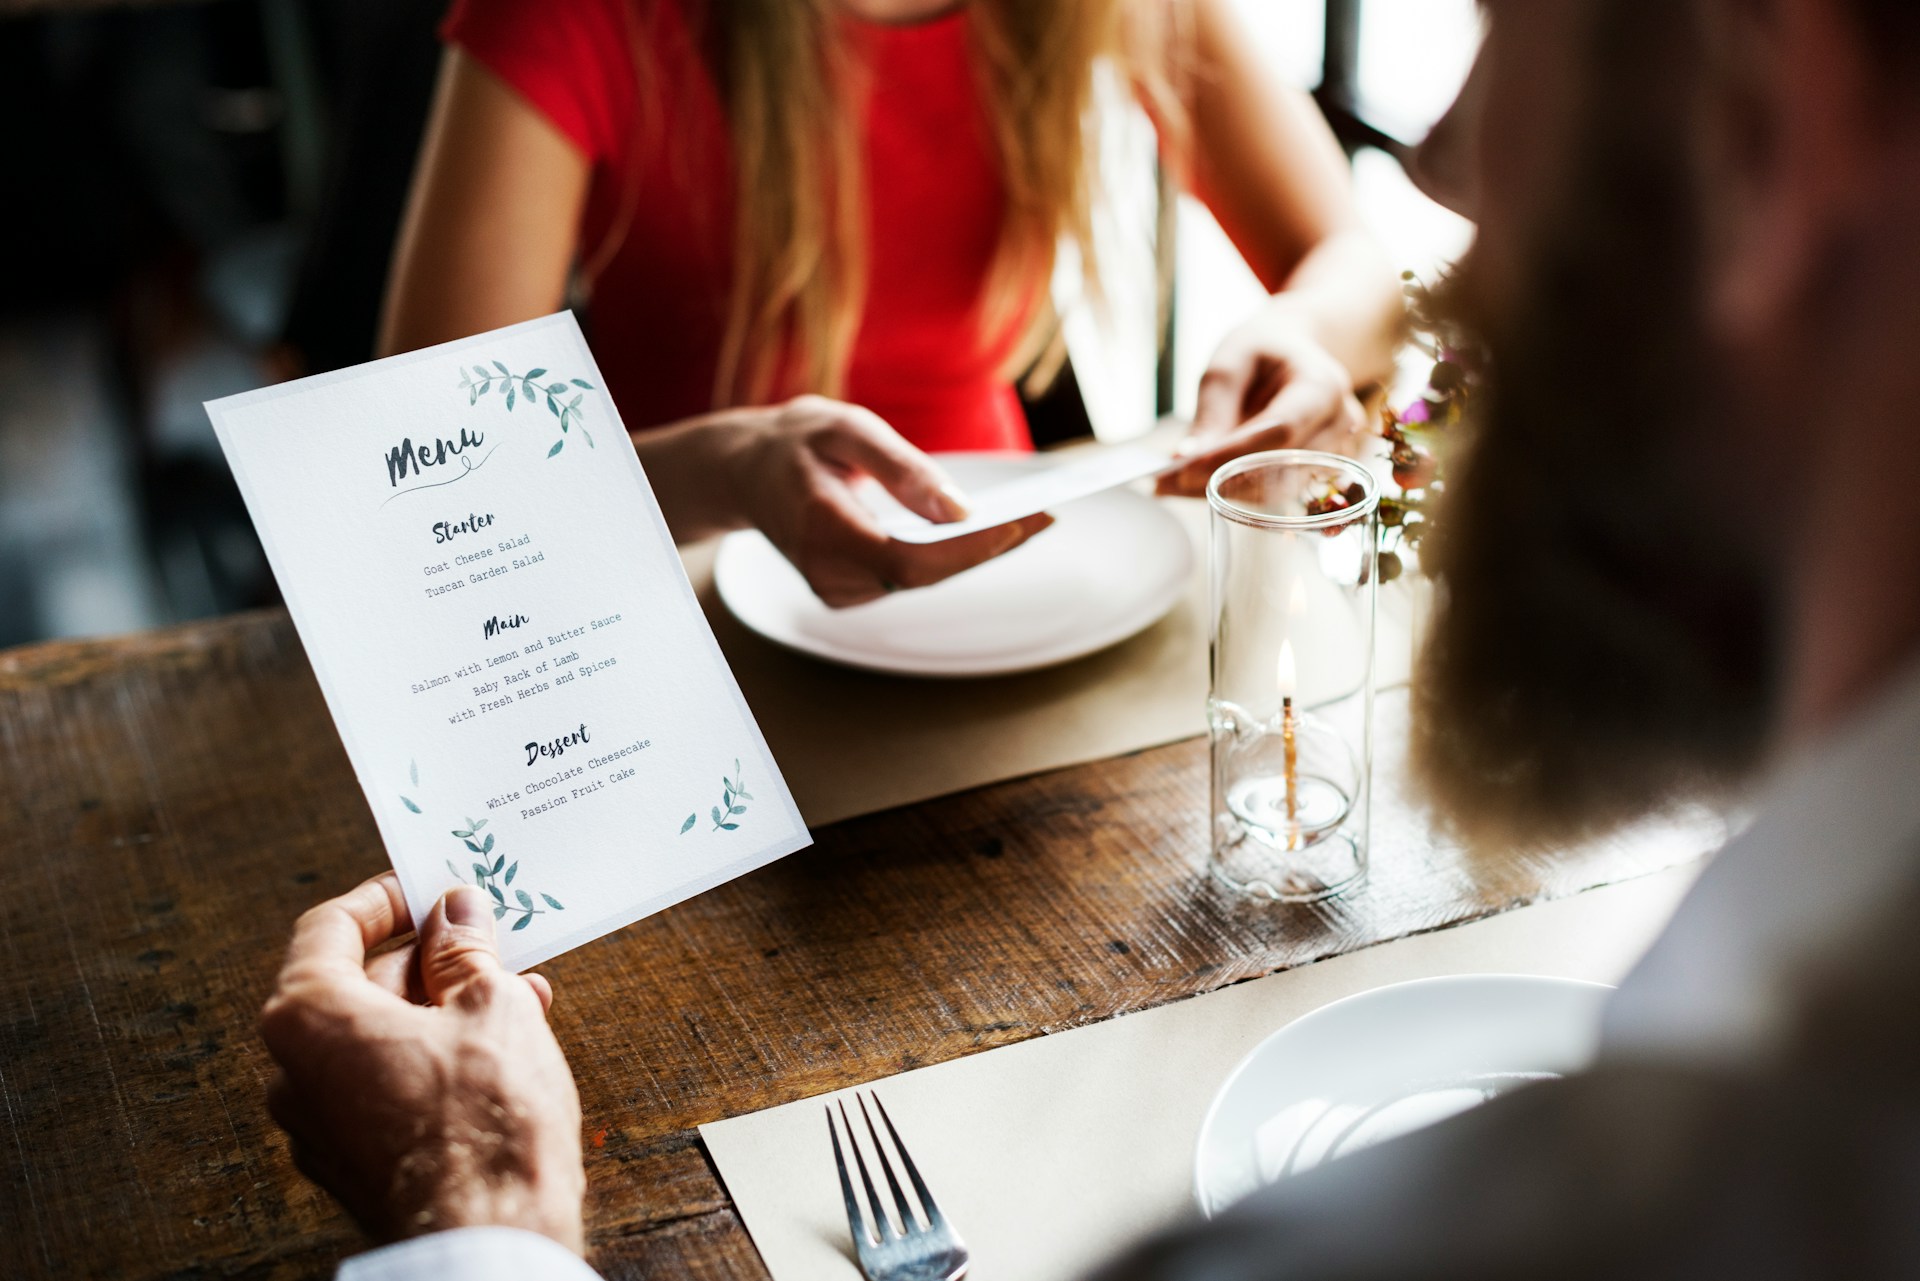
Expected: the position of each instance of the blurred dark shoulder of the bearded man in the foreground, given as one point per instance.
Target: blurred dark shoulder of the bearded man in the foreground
(1800, 1167)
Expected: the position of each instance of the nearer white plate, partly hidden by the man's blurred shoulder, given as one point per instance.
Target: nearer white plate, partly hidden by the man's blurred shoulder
(1383, 1065)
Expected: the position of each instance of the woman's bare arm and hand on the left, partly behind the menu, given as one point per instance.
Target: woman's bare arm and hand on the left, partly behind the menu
(491, 237)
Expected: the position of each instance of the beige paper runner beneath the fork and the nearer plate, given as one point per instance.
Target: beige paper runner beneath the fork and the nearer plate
(1053, 1153)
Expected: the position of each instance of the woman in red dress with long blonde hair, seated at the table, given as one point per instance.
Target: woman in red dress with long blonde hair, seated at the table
(815, 237)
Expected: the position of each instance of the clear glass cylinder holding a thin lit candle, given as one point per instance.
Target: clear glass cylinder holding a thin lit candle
(1295, 543)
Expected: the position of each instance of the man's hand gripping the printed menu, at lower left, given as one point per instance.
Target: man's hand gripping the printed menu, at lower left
(423, 1086)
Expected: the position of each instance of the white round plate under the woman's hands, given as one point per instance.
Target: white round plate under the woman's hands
(1111, 568)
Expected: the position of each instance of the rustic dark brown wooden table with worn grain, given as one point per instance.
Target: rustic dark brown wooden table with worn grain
(172, 802)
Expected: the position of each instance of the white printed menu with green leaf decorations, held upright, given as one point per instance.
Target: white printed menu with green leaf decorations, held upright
(506, 637)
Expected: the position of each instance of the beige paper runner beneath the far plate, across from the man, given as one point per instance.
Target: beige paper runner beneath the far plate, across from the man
(861, 742)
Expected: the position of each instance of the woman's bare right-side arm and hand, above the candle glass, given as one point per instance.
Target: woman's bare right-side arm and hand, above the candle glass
(1270, 170)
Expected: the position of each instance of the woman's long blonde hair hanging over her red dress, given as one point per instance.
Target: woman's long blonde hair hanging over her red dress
(800, 253)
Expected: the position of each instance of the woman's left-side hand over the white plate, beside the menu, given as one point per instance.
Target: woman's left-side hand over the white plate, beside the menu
(794, 470)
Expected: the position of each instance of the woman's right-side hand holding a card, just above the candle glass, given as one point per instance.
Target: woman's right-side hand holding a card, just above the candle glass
(1270, 387)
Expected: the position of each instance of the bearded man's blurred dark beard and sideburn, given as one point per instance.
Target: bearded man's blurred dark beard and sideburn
(1600, 646)
